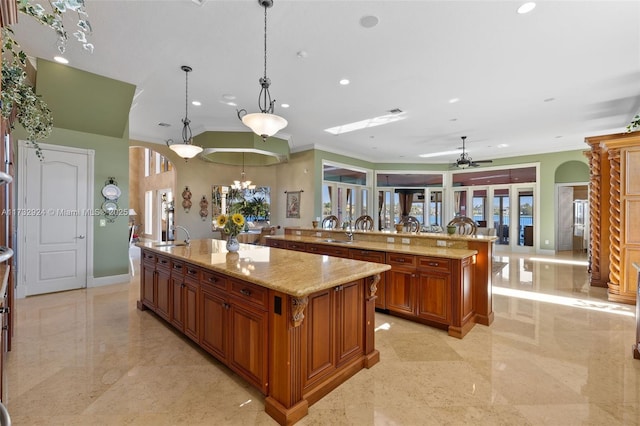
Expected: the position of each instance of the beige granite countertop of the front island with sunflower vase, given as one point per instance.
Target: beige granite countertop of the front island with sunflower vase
(295, 273)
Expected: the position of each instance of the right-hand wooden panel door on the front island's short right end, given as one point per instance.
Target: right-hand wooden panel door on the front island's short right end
(349, 321)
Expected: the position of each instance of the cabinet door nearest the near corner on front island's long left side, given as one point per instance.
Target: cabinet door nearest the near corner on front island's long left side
(248, 343)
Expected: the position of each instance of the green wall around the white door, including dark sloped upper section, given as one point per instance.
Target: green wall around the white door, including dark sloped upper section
(91, 112)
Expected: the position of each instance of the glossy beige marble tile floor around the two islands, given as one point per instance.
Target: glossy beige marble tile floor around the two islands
(557, 354)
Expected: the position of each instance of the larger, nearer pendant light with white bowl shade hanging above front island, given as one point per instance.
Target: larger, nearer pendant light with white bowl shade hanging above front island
(264, 123)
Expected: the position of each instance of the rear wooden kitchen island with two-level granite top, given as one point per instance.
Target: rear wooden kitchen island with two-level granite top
(438, 280)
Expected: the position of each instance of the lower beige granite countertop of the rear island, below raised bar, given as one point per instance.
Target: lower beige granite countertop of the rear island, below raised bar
(449, 253)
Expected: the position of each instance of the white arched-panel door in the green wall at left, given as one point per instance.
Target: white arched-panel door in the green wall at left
(54, 222)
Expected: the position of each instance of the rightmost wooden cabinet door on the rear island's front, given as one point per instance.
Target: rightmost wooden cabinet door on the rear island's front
(434, 296)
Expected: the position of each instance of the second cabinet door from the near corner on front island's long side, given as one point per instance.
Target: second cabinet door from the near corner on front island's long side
(213, 328)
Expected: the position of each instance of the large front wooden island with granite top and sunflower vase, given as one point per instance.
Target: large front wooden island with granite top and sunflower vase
(294, 325)
